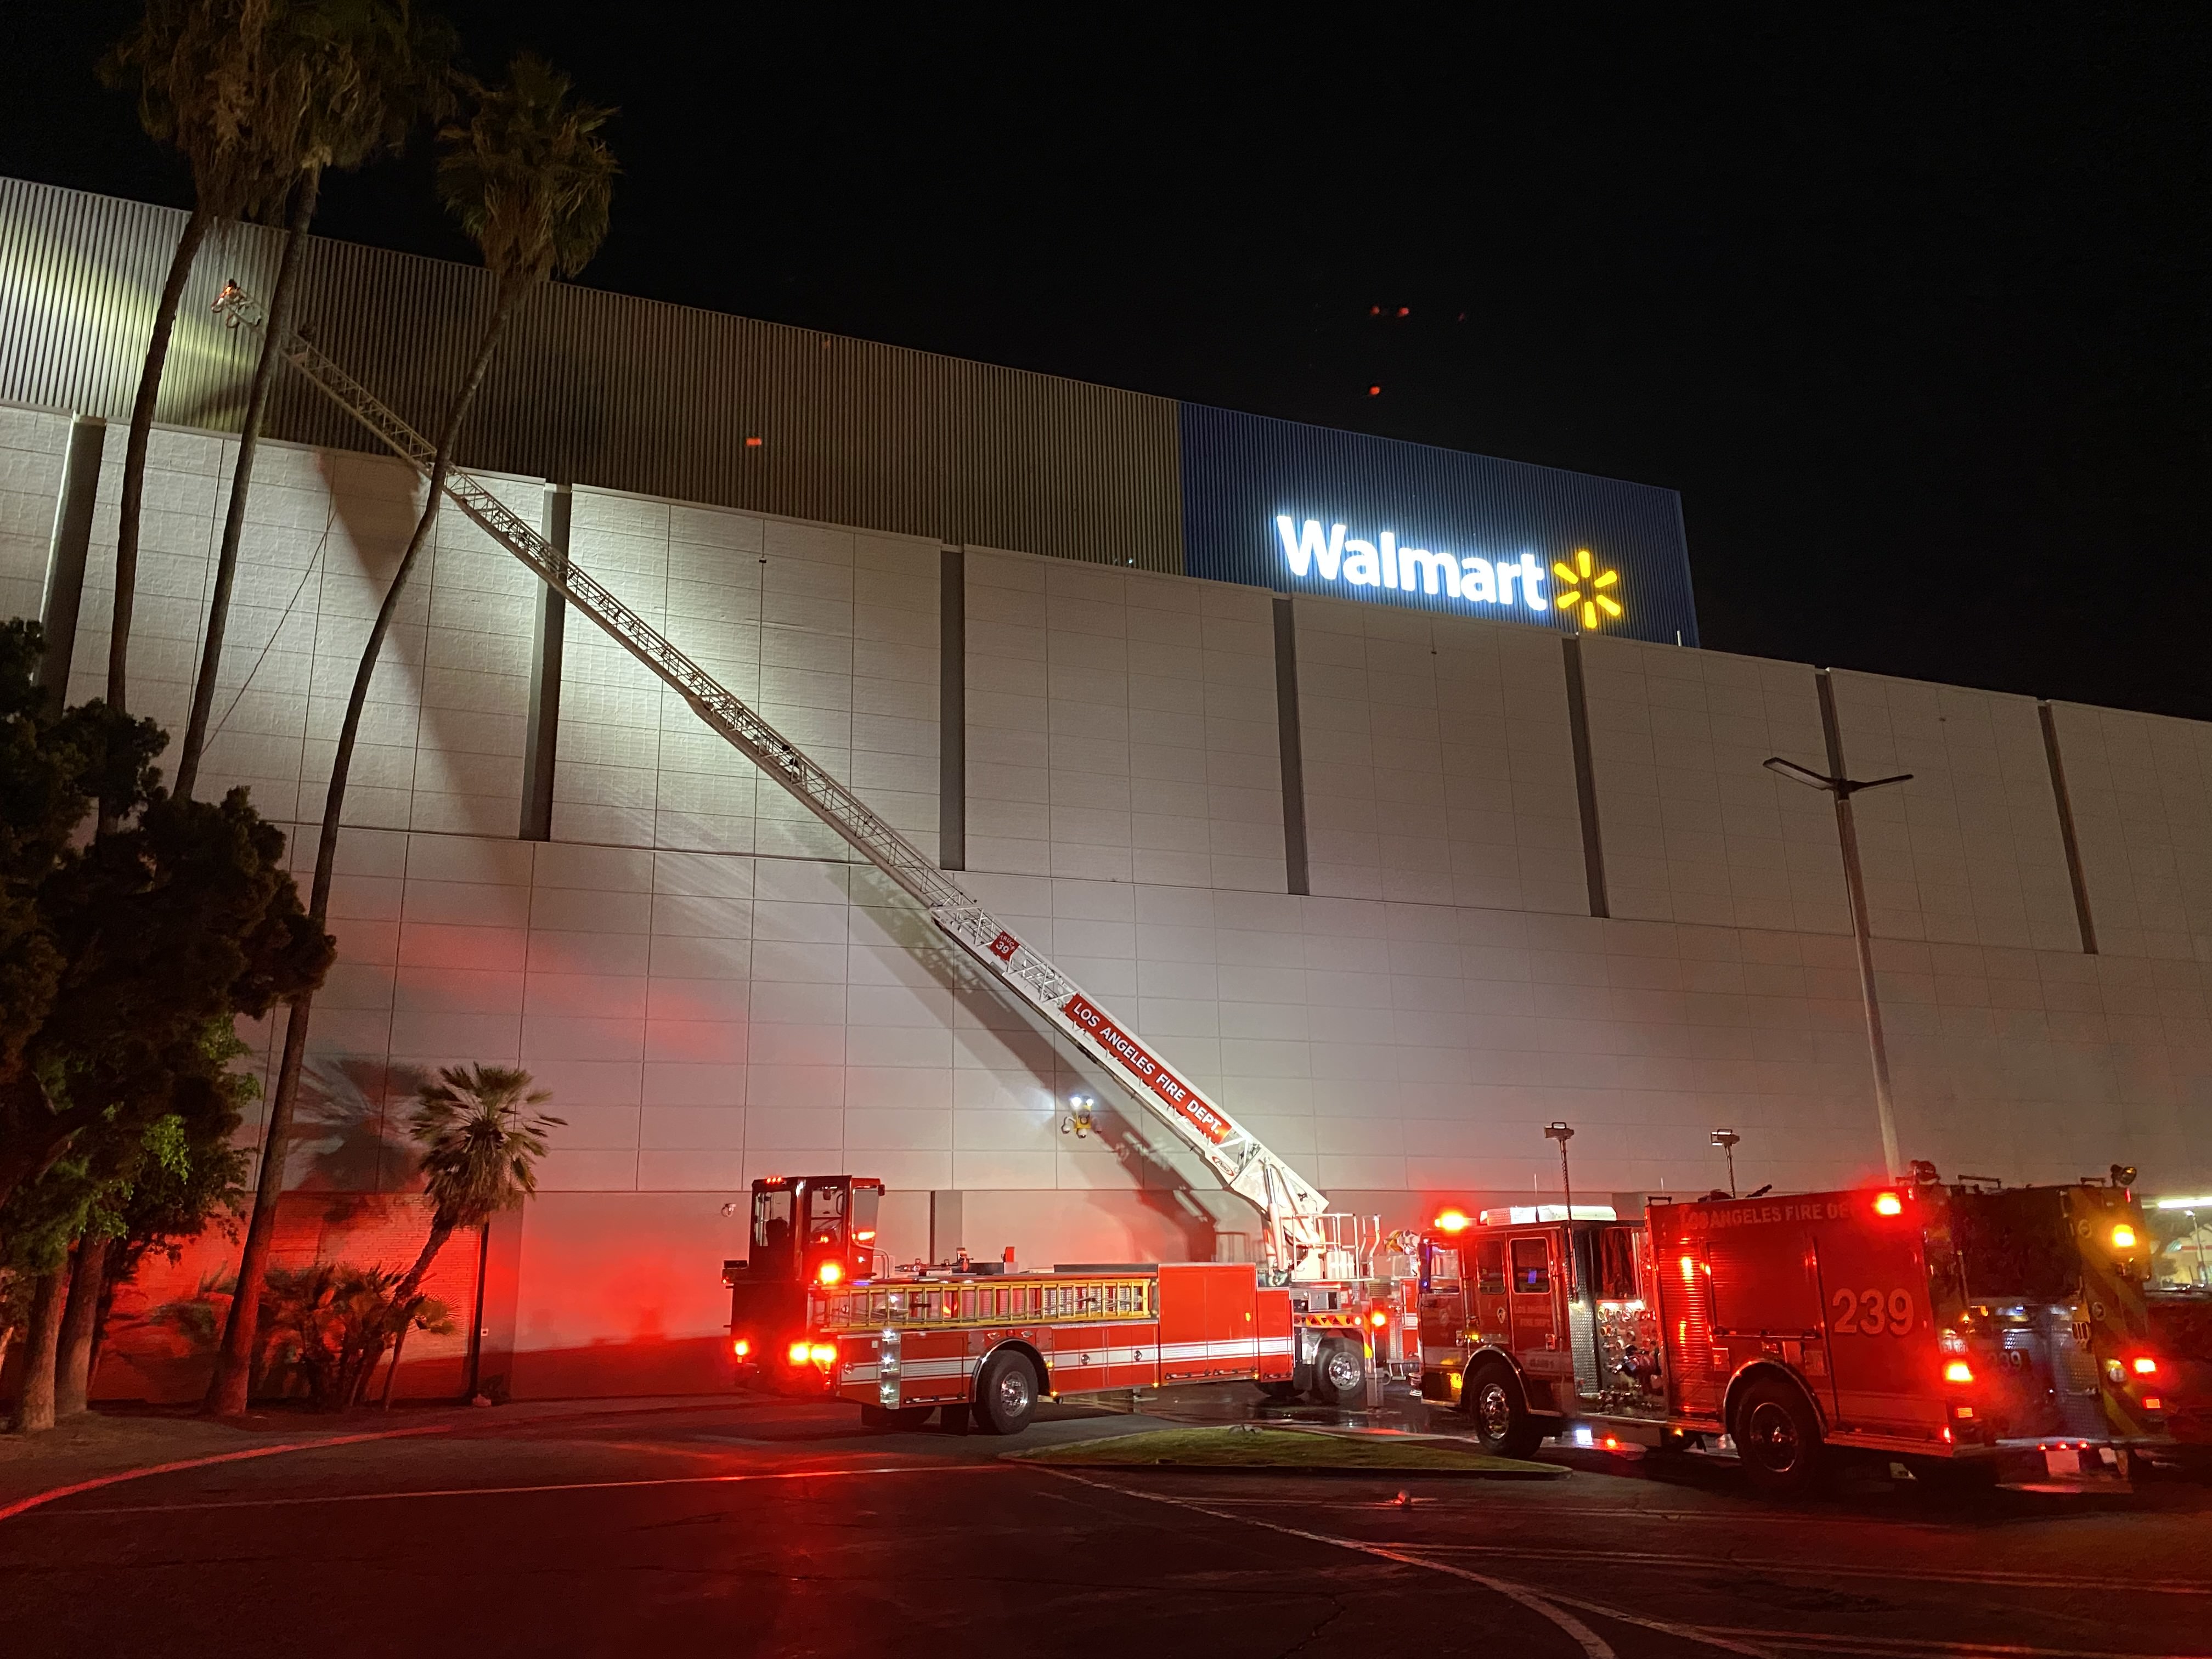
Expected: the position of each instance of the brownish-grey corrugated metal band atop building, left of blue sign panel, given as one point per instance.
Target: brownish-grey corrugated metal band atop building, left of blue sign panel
(605, 390)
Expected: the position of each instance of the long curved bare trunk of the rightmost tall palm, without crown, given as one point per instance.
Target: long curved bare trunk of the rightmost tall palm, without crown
(227, 1392)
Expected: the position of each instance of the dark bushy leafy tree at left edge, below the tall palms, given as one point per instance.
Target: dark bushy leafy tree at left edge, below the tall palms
(118, 959)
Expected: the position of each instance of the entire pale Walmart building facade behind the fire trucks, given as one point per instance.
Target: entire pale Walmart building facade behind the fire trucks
(1397, 879)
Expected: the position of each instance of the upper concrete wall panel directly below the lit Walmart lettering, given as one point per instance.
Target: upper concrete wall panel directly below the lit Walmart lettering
(1439, 764)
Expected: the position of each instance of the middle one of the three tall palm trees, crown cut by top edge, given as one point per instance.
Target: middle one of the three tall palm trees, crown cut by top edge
(366, 72)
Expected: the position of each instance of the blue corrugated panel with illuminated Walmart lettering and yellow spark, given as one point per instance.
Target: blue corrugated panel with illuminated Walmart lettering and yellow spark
(1313, 510)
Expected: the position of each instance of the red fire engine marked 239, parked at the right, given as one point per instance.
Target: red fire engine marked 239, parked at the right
(1923, 1322)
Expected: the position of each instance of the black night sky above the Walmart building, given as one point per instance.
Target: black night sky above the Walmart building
(1910, 309)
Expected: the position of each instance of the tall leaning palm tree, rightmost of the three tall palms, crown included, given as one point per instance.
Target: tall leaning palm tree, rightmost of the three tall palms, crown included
(530, 180)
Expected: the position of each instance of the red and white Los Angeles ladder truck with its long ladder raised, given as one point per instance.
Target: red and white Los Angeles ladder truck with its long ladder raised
(1331, 1269)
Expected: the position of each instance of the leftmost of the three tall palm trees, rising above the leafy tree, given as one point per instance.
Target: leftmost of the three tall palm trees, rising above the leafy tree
(205, 85)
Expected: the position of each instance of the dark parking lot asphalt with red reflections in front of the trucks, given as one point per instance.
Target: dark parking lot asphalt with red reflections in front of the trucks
(771, 1527)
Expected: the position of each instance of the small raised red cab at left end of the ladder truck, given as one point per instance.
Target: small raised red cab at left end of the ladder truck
(806, 1233)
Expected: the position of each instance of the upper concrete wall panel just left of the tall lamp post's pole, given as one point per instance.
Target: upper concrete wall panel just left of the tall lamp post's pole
(1695, 828)
